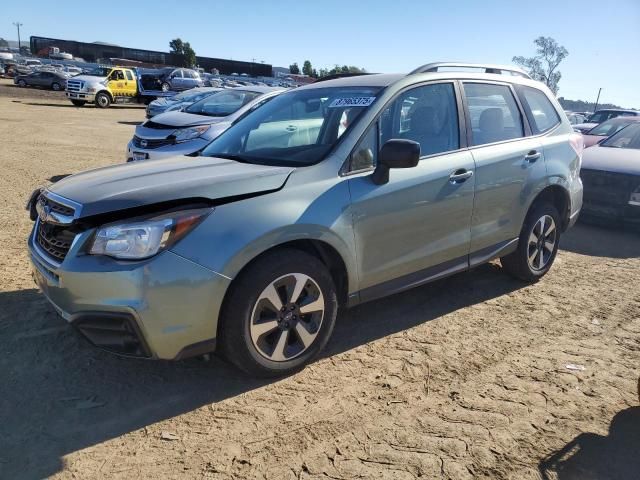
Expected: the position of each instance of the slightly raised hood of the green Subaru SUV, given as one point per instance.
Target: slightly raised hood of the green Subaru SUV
(131, 185)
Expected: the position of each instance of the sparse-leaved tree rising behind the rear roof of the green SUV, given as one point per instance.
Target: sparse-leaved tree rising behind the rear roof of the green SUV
(543, 66)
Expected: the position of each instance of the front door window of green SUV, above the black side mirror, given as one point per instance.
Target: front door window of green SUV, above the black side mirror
(427, 115)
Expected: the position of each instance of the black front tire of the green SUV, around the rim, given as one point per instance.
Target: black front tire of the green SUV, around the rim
(246, 299)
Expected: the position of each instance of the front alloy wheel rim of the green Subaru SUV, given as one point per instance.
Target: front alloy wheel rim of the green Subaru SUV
(287, 317)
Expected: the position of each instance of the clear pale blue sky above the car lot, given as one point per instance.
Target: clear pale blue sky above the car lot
(603, 38)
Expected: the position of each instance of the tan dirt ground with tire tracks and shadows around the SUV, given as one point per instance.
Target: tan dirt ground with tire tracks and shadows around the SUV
(475, 376)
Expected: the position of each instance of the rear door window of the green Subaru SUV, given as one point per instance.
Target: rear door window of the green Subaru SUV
(495, 116)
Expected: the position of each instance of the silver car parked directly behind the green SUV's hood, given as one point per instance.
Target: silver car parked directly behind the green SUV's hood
(189, 131)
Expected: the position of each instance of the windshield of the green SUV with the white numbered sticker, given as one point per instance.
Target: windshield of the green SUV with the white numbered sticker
(296, 128)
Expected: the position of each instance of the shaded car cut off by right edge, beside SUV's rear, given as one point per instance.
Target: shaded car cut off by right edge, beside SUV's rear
(611, 177)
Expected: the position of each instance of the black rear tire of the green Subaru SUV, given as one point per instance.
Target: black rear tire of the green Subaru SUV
(533, 259)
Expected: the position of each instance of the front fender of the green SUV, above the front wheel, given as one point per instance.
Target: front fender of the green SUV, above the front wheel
(236, 233)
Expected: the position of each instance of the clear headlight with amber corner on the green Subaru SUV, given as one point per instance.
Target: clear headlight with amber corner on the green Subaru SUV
(144, 239)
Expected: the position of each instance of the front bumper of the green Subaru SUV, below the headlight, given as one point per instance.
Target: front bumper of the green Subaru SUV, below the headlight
(165, 307)
